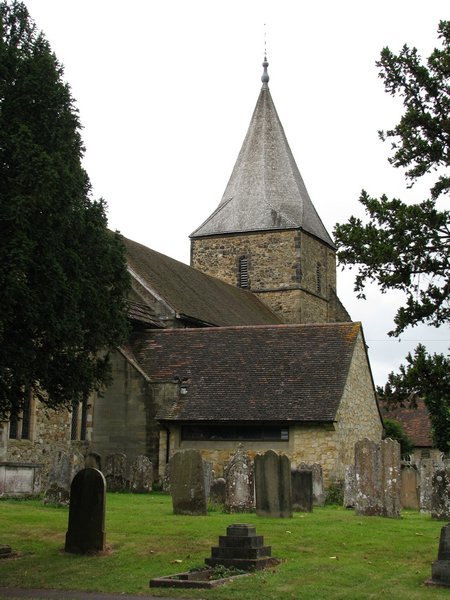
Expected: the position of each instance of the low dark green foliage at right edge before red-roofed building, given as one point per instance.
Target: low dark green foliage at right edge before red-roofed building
(428, 377)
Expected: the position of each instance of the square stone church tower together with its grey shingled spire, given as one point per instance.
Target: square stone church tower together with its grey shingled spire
(266, 235)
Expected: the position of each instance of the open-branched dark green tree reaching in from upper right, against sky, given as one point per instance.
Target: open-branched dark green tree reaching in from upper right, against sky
(407, 247)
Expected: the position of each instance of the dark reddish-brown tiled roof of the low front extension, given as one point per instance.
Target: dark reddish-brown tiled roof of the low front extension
(264, 373)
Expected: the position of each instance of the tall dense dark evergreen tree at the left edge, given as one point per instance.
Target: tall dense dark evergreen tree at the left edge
(62, 273)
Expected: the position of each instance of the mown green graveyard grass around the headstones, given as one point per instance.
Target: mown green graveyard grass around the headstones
(331, 553)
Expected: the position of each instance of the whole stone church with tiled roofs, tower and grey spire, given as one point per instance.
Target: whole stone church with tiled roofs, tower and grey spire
(248, 345)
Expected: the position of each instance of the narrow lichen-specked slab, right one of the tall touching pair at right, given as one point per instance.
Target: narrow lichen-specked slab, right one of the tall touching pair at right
(390, 478)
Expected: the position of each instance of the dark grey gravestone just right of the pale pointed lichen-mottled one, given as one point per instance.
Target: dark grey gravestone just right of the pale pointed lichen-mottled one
(273, 485)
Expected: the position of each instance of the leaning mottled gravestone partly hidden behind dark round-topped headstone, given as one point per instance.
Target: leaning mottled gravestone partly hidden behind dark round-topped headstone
(65, 466)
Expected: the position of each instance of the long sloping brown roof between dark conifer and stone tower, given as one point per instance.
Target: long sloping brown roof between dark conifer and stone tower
(193, 294)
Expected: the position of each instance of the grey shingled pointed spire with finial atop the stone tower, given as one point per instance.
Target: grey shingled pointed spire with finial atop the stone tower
(265, 191)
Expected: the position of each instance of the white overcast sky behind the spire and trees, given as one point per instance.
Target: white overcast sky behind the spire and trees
(166, 91)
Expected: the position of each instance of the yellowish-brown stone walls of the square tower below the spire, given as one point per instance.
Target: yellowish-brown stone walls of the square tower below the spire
(291, 271)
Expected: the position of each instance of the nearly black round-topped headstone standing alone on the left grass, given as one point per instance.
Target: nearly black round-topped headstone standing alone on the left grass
(86, 530)
